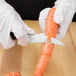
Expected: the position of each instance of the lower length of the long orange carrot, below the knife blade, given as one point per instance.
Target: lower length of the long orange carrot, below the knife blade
(44, 59)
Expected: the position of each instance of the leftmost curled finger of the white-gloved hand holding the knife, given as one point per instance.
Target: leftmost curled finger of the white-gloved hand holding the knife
(5, 39)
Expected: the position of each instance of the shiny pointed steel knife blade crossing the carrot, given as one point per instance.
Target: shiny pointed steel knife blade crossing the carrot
(41, 38)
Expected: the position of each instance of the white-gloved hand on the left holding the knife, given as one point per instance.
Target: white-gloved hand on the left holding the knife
(10, 21)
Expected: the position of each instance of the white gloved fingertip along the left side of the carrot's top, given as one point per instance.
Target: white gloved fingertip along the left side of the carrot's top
(42, 18)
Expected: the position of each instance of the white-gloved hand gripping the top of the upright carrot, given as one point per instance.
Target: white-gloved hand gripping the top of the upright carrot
(65, 10)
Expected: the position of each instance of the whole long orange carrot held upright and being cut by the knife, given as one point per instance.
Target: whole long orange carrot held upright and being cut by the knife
(50, 31)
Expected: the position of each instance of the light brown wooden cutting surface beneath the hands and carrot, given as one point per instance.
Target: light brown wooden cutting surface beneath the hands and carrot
(25, 59)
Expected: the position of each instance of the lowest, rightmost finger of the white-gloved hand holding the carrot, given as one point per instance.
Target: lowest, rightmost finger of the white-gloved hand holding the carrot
(64, 26)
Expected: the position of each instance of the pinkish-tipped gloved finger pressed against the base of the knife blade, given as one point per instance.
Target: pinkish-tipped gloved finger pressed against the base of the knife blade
(20, 32)
